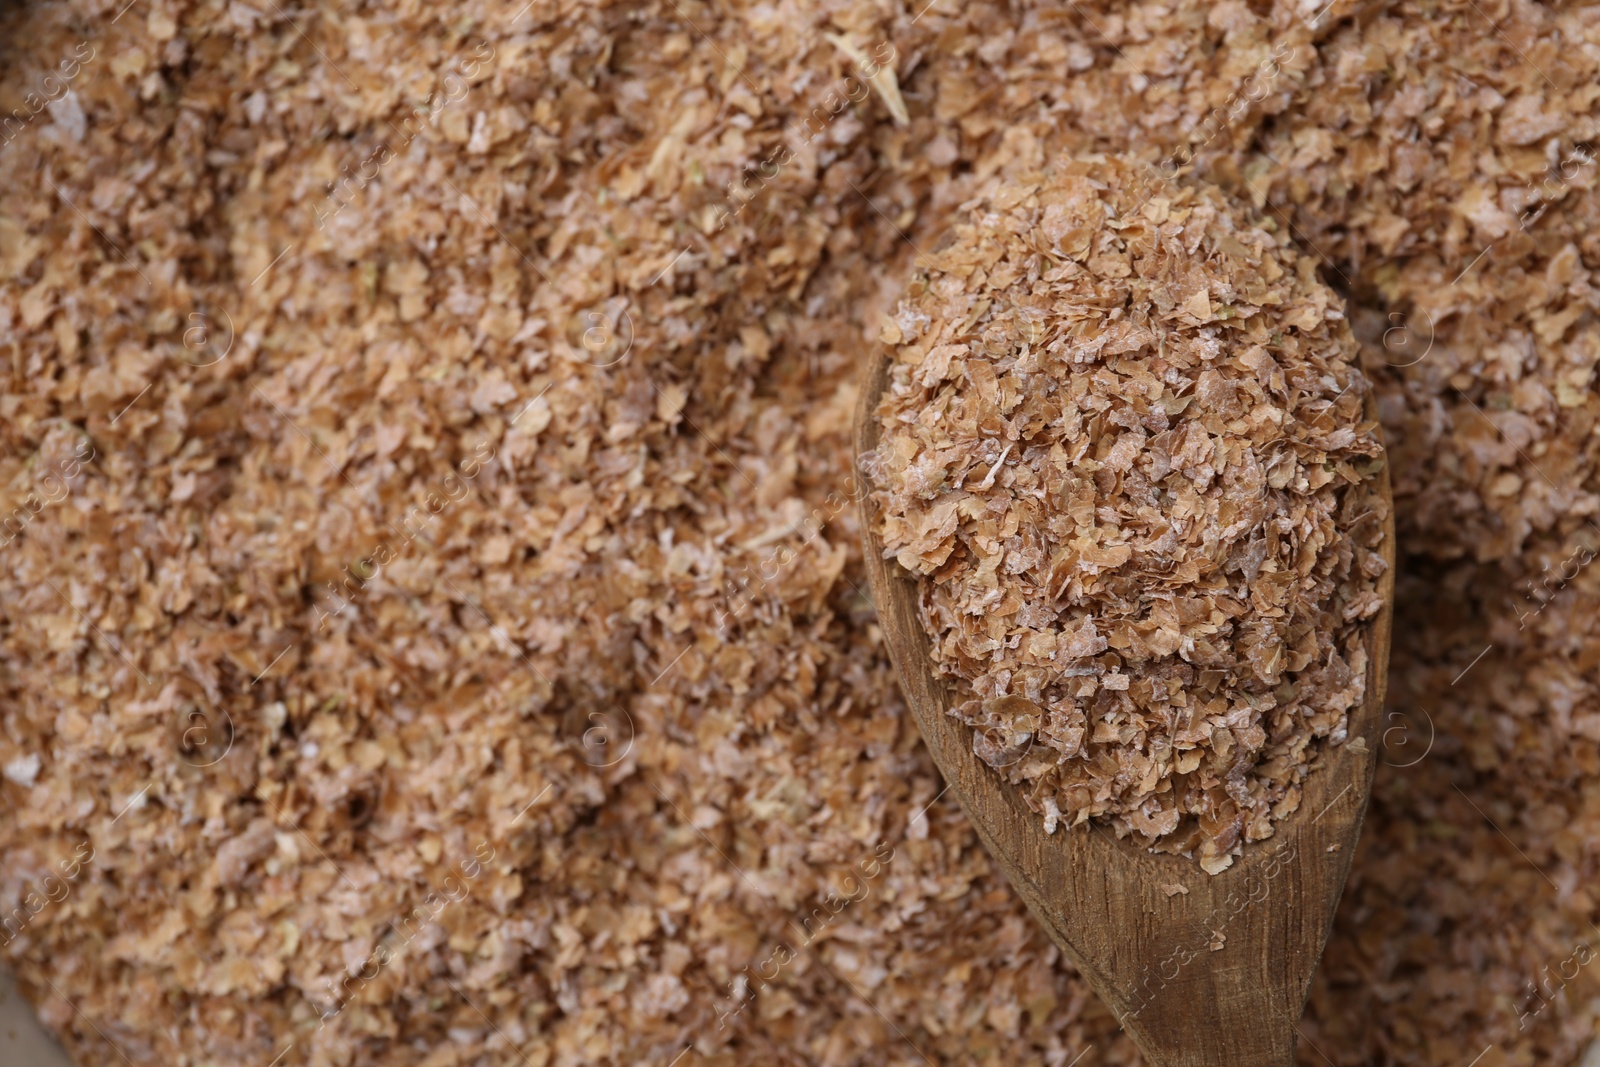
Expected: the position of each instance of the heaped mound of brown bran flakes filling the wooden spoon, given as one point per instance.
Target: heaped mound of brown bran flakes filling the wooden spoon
(1124, 442)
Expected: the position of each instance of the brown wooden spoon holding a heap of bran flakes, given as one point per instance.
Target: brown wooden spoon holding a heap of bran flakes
(1212, 977)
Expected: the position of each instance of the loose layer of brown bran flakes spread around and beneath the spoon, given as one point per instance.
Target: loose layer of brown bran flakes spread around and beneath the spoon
(639, 513)
